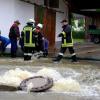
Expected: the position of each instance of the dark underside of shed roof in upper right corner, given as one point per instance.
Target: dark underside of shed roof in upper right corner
(80, 6)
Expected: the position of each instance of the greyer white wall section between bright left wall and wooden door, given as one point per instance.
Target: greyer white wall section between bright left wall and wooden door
(23, 12)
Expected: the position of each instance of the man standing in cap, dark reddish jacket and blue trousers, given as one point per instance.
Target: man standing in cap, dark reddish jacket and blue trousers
(14, 35)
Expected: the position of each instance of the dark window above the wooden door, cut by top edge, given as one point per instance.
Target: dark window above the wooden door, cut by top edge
(52, 3)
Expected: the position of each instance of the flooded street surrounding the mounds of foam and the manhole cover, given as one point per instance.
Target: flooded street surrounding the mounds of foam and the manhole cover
(87, 73)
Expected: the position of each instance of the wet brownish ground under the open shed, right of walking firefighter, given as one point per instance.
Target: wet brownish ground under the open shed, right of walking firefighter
(88, 50)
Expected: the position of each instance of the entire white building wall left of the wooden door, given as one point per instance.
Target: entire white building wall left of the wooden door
(11, 10)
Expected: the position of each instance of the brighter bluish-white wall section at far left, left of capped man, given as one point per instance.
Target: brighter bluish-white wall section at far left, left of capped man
(6, 15)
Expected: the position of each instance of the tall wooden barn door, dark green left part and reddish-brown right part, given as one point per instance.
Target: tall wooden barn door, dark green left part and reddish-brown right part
(47, 17)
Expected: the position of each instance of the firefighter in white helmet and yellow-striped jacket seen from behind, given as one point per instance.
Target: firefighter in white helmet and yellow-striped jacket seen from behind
(29, 41)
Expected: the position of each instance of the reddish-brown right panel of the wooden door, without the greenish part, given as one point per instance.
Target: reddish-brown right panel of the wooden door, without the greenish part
(49, 26)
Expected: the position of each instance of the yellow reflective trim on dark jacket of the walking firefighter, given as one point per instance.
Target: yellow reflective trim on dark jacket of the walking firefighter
(65, 42)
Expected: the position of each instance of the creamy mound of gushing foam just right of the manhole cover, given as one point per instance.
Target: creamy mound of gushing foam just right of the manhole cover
(68, 85)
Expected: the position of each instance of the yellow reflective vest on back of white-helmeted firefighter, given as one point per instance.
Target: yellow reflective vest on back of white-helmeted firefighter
(28, 37)
